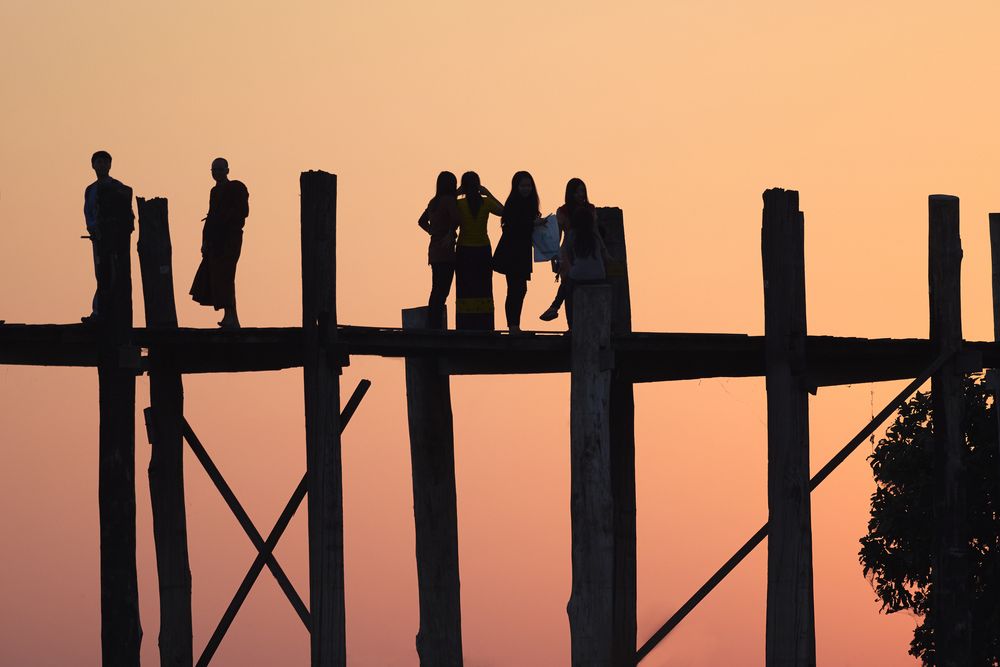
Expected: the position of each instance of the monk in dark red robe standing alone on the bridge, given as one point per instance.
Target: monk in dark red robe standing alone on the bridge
(221, 241)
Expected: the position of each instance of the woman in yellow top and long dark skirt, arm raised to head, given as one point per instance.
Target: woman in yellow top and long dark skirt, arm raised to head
(473, 266)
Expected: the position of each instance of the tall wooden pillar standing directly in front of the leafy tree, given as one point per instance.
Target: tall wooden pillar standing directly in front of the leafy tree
(951, 586)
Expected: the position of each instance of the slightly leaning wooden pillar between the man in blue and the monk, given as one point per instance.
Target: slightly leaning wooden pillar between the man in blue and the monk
(164, 425)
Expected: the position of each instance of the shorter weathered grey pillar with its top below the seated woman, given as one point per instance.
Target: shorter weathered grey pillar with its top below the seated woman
(591, 604)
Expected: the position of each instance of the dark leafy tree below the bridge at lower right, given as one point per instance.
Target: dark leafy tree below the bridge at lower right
(898, 550)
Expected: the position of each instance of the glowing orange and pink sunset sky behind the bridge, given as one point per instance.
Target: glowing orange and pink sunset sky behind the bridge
(679, 112)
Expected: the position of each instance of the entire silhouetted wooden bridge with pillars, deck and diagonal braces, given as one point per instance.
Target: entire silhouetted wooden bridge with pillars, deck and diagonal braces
(604, 357)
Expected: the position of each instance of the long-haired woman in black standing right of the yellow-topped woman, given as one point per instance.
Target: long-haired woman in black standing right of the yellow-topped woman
(513, 254)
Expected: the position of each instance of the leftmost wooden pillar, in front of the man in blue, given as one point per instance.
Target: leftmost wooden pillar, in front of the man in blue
(121, 631)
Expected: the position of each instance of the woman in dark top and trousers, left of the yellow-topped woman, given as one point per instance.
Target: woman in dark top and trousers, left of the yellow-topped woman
(440, 220)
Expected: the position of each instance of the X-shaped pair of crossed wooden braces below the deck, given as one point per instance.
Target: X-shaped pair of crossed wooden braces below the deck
(265, 548)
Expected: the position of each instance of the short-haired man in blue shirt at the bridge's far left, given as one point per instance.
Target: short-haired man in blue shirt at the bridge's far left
(107, 209)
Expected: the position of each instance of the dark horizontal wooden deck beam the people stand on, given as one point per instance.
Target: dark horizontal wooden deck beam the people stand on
(644, 357)
